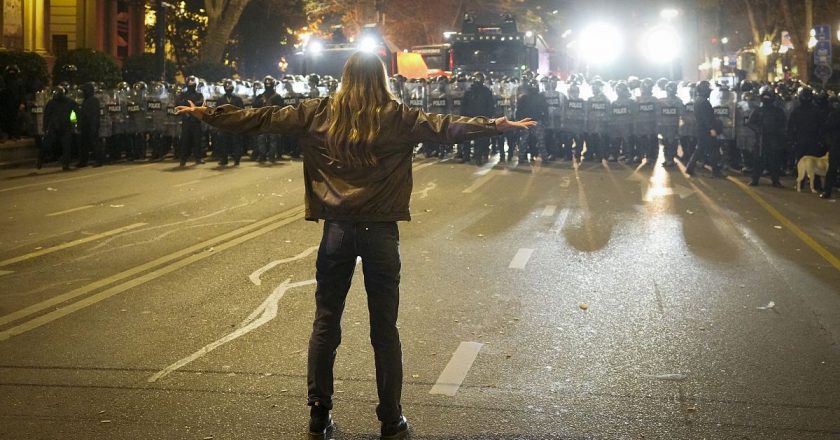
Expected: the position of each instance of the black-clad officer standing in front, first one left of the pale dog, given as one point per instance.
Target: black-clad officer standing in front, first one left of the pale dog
(768, 121)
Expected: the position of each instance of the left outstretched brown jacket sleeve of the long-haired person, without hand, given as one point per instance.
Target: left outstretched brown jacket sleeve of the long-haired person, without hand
(292, 120)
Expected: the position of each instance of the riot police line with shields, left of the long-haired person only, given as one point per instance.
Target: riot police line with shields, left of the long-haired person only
(132, 122)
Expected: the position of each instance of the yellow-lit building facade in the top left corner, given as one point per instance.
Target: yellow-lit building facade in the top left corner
(51, 27)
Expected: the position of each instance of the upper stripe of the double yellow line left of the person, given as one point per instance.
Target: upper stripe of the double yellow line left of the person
(54, 301)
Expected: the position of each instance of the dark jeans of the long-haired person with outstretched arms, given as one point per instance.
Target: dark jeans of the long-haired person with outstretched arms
(377, 243)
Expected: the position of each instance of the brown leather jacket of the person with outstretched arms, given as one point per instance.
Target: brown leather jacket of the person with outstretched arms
(360, 194)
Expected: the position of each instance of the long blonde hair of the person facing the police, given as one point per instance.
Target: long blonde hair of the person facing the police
(353, 117)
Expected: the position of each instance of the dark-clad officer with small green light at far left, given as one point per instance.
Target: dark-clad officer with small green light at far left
(59, 118)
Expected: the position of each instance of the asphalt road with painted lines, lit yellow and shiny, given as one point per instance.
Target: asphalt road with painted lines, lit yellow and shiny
(143, 301)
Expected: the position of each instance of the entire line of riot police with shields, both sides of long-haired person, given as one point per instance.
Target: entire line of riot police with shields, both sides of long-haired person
(580, 119)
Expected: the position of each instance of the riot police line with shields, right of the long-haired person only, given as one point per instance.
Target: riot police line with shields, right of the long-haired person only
(750, 127)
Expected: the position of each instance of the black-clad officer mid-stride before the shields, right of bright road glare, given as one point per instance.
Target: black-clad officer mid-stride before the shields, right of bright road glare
(708, 128)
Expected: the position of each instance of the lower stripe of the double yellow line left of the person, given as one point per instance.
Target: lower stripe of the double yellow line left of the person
(274, 223)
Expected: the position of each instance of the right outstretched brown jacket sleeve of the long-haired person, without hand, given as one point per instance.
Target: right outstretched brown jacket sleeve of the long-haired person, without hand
(444, 129)
